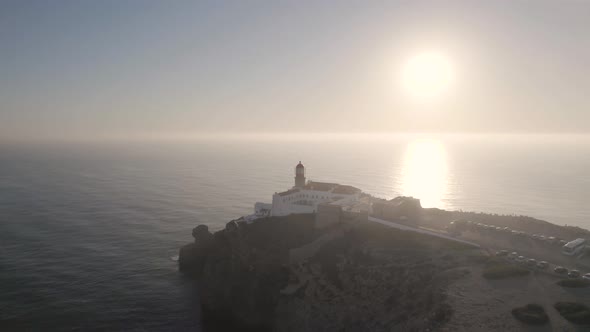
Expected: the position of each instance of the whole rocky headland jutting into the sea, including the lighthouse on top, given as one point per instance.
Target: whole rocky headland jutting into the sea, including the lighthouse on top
(325, 256)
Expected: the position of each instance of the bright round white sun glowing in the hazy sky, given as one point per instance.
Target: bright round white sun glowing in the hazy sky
(427, 75)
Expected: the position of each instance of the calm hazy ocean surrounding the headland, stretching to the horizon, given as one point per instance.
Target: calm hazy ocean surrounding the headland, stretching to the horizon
(88, 230)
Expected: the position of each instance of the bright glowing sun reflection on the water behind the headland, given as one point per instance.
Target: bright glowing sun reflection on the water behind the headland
(425, 172)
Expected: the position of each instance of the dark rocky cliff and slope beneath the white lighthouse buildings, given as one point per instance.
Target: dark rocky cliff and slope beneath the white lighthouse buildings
(363, 277)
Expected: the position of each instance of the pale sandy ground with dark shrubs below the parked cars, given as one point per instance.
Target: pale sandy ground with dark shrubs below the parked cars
(485, 305)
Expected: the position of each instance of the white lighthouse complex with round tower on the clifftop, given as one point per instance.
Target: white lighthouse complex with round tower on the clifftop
(305, 197)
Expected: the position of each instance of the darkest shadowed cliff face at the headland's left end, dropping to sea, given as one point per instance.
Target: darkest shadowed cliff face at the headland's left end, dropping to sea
(242, 269)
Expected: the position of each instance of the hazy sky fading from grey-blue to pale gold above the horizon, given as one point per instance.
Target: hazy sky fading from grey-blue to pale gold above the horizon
(102, 68)
